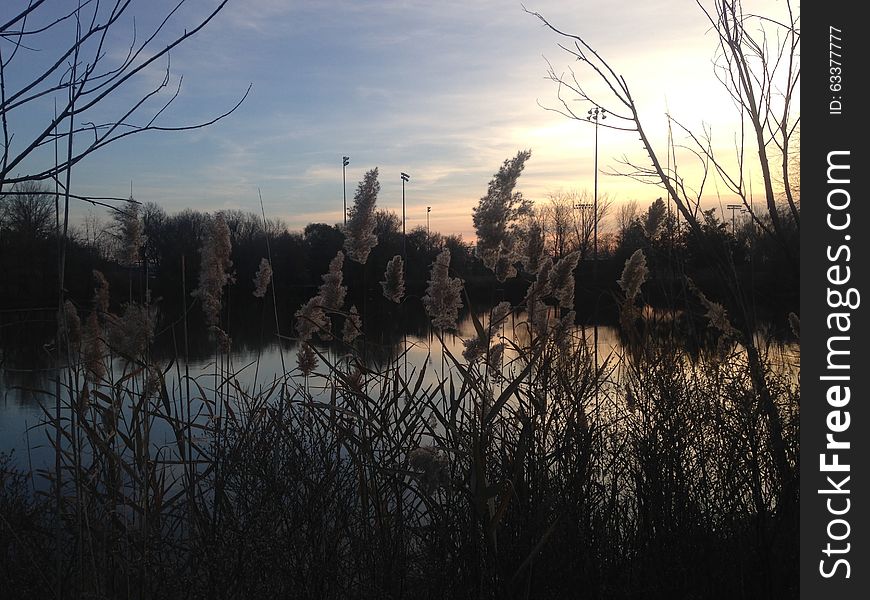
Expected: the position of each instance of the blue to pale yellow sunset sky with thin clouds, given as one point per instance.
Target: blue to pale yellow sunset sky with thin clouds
(444, 91)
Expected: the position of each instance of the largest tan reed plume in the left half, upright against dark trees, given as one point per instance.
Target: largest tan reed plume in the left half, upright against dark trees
(214, 268)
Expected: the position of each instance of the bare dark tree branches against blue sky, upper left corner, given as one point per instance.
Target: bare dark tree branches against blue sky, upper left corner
(68, 58)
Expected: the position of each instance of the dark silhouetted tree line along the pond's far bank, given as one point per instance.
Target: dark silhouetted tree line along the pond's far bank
(169, 260)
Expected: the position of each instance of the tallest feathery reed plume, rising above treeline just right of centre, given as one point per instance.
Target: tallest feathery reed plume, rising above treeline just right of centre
(496, 218)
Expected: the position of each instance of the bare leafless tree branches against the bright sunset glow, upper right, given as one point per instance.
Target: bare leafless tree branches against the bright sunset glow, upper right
(758, 64)
